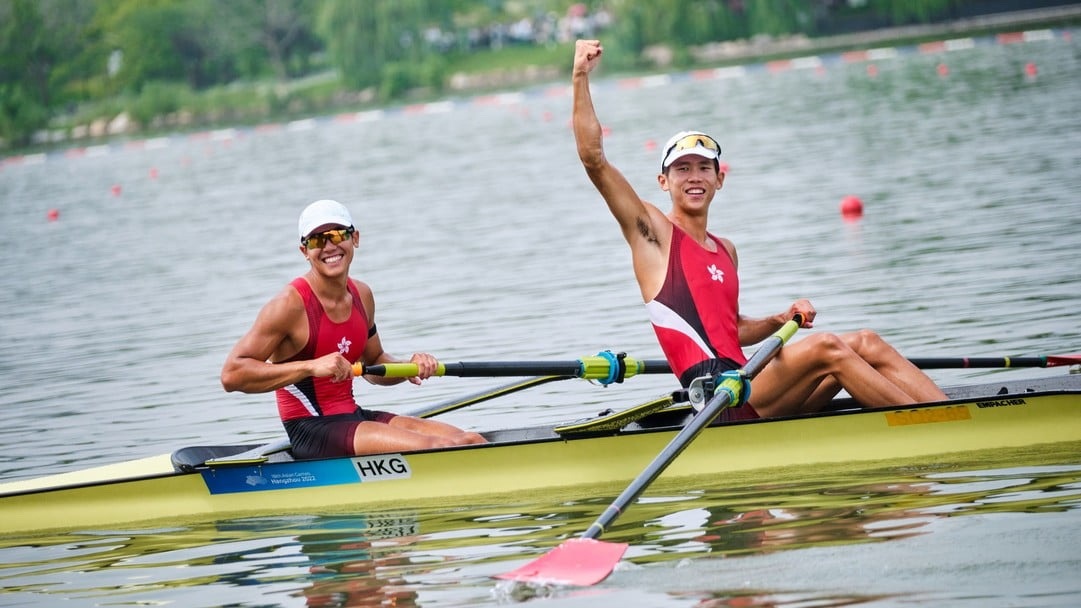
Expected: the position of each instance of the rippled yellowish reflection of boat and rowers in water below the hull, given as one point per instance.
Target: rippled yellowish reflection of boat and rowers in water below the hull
(408, 558)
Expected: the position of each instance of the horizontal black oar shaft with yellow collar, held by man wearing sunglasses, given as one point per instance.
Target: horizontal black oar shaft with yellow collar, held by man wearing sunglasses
(606, 367)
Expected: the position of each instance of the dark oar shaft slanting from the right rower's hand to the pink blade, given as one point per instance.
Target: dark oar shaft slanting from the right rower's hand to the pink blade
(727, 391)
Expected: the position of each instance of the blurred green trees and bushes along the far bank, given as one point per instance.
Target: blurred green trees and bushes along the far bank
(152, 59)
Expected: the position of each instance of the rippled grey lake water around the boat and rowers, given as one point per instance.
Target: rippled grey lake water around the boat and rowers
(484, 241)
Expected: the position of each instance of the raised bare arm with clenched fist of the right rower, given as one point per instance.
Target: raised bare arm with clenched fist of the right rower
(644, 226)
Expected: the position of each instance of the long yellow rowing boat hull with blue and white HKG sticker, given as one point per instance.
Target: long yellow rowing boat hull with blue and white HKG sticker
(151, 493)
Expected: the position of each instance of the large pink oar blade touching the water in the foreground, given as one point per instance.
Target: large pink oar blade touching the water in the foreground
(578, 562)
